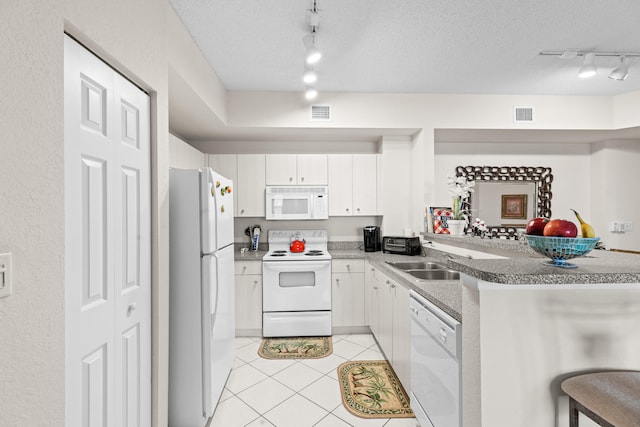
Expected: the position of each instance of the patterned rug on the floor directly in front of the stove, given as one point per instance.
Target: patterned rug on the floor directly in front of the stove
(295, 348)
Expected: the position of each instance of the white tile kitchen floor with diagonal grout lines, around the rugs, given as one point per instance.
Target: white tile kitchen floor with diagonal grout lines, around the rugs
(294, 393)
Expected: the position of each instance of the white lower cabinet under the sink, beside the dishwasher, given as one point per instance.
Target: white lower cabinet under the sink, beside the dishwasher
(388, 314)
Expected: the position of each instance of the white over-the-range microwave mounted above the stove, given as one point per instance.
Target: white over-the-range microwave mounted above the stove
(297, 202)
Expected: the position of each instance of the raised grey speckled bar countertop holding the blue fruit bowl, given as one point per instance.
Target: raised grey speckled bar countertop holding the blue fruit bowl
(524, 266)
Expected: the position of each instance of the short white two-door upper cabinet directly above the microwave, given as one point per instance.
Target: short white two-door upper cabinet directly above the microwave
(296, 169)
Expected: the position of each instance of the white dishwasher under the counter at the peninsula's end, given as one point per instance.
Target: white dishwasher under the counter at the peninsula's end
(435, 364)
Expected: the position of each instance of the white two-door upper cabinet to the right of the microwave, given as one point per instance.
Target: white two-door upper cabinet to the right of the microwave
(352, 184)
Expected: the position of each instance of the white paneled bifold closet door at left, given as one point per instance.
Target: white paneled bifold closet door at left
(107, 237)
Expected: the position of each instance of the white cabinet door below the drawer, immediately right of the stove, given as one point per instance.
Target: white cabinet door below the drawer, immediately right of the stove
(347, 299)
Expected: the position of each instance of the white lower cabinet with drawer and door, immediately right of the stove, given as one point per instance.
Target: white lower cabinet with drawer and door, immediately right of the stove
(347, 294)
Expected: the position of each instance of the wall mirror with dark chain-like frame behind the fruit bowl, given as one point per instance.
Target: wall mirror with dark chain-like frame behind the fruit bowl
(507, 197)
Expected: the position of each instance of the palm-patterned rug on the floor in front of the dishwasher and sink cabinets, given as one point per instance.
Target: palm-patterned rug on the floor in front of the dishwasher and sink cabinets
(370, 389)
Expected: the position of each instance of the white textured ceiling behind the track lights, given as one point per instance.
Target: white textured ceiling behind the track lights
(417, 46)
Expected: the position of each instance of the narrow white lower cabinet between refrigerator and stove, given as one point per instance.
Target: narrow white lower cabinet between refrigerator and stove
(248, 277)
